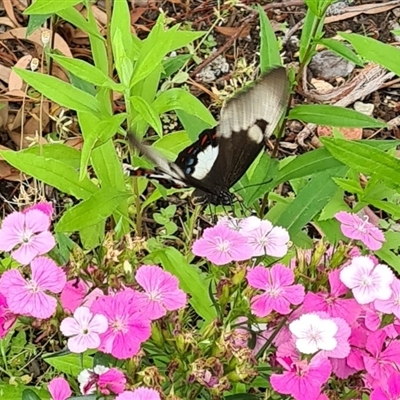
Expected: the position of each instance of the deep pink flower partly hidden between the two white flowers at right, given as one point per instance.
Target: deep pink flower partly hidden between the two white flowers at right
(333, 303)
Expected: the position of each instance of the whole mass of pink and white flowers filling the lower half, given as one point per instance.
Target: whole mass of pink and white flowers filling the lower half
(318, 324)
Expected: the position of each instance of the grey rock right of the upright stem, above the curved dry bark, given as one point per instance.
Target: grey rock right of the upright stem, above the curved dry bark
(329, 66)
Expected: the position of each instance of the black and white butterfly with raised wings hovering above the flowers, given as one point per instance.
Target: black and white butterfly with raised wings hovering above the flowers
(220, 156)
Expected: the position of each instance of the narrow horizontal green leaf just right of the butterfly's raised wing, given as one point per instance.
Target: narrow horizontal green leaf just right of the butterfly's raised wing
(333, 116)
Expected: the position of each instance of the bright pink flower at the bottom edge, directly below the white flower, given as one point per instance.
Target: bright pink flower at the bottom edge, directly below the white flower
(302, 380)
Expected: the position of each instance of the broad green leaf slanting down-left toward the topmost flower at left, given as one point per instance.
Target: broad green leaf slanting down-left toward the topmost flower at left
(89, 212)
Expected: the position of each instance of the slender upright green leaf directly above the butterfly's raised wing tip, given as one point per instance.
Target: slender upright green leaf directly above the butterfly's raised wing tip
(269, 51)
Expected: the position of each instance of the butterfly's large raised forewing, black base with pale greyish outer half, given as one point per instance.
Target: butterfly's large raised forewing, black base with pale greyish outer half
(246, 121)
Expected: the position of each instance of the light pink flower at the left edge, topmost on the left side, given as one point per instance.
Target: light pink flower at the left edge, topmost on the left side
(28, 233)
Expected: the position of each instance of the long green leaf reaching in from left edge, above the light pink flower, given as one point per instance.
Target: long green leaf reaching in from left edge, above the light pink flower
(52, 172)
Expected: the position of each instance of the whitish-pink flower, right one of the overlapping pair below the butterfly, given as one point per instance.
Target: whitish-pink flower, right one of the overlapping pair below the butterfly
(264, 238)
